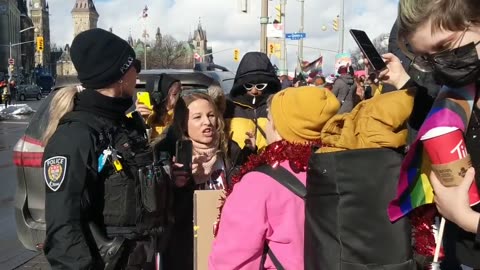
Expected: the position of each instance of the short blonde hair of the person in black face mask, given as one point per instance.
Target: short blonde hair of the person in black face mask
(452, 15)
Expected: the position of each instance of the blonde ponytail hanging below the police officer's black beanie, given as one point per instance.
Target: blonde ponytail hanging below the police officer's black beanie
(61, 104)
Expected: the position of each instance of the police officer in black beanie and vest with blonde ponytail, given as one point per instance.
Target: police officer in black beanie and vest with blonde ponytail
(100, 213)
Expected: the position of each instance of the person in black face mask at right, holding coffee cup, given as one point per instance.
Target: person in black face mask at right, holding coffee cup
(444, 36)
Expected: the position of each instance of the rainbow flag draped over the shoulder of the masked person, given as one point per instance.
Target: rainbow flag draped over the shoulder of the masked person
(452, 108)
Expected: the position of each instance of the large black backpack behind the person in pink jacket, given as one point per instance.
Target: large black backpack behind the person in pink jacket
(346, 221)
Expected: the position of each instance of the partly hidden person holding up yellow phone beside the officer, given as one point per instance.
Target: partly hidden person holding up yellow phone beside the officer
(161, 115)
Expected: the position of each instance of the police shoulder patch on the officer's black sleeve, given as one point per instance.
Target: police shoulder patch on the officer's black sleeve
(54, 171)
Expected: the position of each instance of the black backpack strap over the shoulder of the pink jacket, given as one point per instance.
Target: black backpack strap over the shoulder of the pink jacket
(286, 178)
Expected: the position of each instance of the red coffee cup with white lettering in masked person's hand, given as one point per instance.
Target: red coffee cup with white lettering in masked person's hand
(449, 147)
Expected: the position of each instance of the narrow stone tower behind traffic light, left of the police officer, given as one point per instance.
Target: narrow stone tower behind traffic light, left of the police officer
(41, 22)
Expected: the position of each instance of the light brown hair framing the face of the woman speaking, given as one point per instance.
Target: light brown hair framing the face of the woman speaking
(181, 116)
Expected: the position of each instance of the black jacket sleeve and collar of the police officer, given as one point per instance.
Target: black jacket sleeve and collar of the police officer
(72, 198)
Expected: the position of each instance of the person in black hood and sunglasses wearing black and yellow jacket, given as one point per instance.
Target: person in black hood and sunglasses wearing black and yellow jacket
(246, 114)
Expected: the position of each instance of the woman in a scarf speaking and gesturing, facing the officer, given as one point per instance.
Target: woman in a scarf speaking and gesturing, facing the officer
(204, 159)
